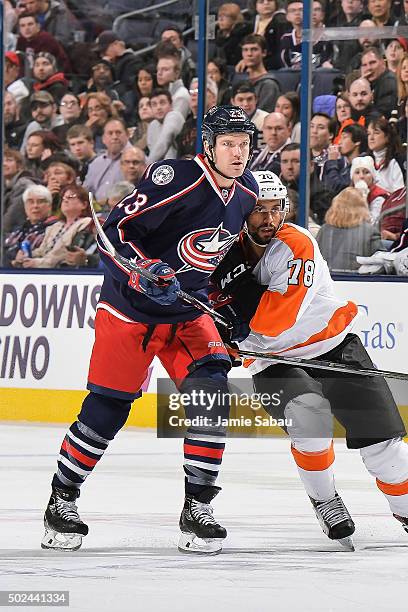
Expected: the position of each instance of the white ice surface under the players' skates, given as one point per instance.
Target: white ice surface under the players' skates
(275, 558)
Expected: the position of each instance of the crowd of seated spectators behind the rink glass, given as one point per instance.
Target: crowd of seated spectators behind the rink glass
(86, 109)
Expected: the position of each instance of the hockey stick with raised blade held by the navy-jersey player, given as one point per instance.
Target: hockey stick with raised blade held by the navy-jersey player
(131, 266)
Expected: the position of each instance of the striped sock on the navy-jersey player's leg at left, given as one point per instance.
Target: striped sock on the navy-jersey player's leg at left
(80, 452)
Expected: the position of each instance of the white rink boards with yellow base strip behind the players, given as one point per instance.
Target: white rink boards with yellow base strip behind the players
(46, 336)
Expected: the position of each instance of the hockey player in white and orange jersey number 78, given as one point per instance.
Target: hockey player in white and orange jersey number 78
(282, 287)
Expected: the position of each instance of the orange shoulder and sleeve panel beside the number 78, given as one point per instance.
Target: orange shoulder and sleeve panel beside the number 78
(278, 312)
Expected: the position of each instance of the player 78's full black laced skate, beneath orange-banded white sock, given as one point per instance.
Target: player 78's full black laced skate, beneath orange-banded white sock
(335, 520)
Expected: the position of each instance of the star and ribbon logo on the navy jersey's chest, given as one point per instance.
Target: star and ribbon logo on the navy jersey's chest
(203, 249)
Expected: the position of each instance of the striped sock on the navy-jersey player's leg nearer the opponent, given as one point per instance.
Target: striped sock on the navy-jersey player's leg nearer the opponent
(202, 458)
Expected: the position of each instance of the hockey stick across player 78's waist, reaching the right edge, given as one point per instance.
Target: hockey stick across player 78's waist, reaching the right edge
(322, 365)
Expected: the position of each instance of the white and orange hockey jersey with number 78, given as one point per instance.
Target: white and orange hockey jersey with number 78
(299, 315)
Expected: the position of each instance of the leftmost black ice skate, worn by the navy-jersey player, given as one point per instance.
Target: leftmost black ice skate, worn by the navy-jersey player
(63, 527)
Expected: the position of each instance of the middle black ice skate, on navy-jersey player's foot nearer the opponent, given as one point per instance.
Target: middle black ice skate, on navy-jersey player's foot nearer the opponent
(200, 531)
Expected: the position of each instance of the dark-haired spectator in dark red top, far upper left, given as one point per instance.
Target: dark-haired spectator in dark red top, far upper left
(31, 36)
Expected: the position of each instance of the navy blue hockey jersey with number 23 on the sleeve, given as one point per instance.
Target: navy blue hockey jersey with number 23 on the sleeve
(180, 215)
